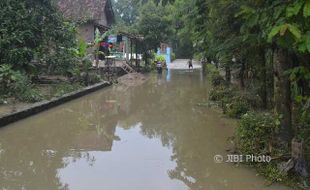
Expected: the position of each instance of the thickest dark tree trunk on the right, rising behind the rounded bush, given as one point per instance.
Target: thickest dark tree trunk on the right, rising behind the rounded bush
(282, 94)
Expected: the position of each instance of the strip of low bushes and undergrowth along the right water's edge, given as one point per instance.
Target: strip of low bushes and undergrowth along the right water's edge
(257, 132)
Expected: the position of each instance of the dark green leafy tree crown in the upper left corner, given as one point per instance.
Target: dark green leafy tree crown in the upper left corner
(34, 35)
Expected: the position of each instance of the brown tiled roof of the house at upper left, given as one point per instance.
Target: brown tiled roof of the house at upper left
(83, 10)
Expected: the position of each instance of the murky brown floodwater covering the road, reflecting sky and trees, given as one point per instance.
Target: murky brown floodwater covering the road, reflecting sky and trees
(148, 137)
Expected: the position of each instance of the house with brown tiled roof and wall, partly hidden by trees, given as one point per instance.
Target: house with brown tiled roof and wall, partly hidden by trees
(90, 14)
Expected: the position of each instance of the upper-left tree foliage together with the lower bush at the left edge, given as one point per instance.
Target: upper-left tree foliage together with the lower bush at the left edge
(34, 40)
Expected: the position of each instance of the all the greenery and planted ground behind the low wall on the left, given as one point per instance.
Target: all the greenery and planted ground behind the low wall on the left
(41, 55)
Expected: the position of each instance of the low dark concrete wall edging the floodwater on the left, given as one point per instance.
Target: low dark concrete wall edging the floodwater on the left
(44, 105)
